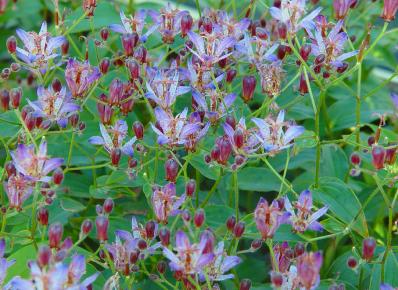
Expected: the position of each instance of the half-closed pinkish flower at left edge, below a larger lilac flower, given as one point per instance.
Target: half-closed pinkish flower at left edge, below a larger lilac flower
(18, 189)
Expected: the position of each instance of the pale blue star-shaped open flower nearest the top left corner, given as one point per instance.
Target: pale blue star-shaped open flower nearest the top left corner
(39, 48)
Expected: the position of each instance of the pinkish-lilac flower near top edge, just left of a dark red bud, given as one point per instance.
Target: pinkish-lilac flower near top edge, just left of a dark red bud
(168, 22)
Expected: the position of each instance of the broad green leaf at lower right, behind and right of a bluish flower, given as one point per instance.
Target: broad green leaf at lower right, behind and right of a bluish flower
(342, 202)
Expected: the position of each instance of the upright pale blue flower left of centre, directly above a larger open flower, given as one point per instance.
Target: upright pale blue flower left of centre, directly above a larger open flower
(163, 88)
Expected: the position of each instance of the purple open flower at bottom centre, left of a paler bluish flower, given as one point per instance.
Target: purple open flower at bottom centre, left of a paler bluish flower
(189, 258)
